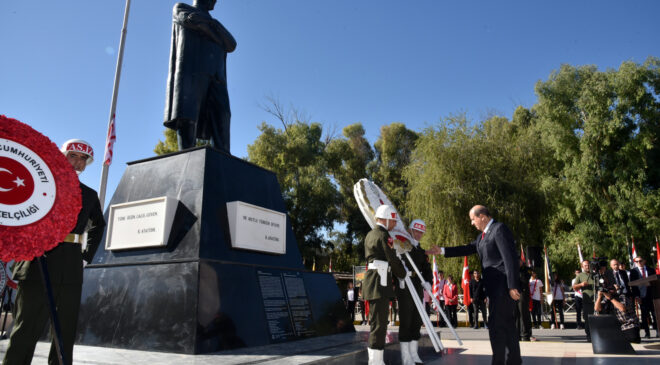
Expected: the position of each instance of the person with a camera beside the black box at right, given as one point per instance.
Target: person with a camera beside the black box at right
(612, 298)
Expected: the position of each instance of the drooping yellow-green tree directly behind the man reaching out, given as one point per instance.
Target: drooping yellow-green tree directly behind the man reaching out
(457, 165)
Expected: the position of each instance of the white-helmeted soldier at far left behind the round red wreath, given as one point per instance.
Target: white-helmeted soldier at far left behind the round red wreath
(65, 267)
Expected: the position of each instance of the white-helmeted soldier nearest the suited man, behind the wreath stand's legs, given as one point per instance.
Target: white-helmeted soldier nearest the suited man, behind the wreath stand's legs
(410, 320)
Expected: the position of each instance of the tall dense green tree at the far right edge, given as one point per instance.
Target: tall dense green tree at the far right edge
(602, 128)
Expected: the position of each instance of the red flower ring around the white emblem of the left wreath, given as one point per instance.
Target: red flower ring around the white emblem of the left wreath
(32, 240)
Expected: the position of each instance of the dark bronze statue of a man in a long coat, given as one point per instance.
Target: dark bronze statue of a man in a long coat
(197, 103)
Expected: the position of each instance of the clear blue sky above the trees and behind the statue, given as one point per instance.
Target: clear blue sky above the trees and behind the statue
(340, 61)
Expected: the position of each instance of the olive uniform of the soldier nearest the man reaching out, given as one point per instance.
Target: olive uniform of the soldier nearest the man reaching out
(410, 320)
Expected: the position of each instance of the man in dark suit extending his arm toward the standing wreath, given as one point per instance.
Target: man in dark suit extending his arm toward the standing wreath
(499, 261)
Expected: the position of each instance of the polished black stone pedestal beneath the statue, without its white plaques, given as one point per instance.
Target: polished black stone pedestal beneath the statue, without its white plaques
(198, 294)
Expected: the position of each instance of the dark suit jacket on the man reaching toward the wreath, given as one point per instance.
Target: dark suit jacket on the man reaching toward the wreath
(499, 260)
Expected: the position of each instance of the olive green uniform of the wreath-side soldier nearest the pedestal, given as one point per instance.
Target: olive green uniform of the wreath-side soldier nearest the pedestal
(376, 248)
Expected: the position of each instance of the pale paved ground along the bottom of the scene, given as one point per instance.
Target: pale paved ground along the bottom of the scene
(554, 347)
